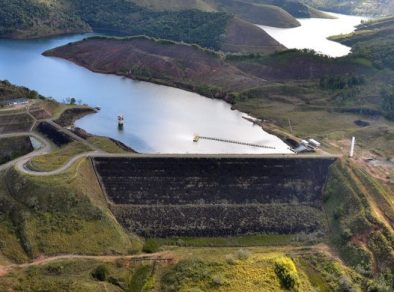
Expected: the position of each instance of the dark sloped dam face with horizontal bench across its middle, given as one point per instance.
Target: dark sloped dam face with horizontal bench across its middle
(160, 196)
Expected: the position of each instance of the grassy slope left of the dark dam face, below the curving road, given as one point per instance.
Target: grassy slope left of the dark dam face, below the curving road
(57, 215)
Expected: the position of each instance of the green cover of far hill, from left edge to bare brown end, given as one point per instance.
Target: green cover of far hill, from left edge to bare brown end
(117, 17)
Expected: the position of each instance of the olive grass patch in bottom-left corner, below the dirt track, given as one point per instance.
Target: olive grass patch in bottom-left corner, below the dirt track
(88, 275)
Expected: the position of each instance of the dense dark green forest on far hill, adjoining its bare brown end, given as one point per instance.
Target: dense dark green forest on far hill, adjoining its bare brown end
(122, 17)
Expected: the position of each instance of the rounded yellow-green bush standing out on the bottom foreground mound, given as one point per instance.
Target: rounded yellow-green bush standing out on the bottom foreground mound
(286, 271)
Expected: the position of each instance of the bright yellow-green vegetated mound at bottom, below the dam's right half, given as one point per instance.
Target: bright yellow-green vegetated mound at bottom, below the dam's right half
(250, 270)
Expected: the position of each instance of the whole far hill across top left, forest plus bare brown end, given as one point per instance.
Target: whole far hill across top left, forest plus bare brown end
(214, 30)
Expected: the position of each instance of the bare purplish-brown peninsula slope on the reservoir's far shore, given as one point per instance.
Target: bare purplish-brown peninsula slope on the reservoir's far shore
(179, 65)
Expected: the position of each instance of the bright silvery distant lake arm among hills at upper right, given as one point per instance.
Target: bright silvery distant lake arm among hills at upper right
(313, 34)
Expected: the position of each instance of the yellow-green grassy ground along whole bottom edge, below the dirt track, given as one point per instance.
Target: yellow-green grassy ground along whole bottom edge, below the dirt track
(223, 269)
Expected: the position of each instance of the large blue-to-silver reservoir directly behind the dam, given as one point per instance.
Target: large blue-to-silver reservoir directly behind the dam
(159, 119)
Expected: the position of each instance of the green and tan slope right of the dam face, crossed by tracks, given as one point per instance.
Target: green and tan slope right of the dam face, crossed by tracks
(364, 242)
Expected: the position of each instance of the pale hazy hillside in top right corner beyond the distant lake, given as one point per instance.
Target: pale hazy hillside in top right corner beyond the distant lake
(359, 7)
